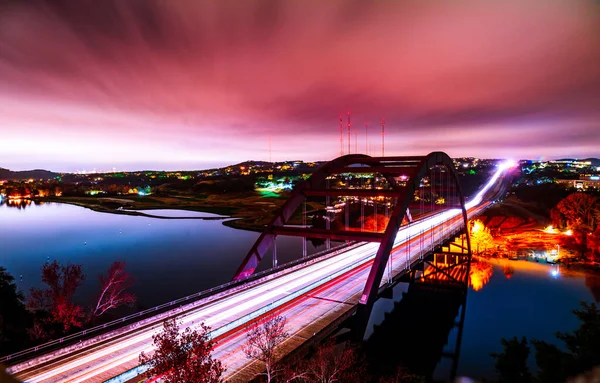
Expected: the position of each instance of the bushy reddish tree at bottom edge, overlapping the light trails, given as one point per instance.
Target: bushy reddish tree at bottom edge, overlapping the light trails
(183, 357)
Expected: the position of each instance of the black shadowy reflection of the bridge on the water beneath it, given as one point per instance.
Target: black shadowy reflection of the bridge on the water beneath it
(416, 334)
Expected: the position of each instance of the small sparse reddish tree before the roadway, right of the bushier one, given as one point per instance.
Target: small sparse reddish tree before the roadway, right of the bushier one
(263, 341)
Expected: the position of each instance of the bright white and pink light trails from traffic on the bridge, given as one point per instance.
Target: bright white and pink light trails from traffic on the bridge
(232, 312)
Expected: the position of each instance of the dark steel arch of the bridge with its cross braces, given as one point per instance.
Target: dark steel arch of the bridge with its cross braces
(404, 177)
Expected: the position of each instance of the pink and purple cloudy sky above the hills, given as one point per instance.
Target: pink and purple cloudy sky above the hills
(192, 84)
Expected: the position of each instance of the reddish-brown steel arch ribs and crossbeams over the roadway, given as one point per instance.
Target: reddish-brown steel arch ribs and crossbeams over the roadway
(413, 168)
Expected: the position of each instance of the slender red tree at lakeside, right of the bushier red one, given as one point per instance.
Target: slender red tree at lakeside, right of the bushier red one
(113, 286)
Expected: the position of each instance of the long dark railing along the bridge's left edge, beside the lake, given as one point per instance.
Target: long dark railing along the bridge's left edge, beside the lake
(56, 343)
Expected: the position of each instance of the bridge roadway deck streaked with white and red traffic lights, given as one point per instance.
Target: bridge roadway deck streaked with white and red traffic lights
(310, 297)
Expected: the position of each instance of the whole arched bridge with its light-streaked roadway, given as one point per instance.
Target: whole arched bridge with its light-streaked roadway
(381, 220)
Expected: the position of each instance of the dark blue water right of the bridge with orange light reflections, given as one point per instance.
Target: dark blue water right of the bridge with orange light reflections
(506, 299)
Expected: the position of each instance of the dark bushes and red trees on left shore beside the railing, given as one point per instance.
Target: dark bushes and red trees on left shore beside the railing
(51, 311)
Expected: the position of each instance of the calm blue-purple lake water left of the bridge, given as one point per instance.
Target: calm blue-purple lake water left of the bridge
(169, 258)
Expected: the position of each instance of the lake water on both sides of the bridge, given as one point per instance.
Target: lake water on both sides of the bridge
(171, 258)
